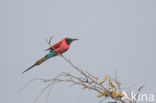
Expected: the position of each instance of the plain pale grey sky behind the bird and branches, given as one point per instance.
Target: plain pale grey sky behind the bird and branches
(114, 35)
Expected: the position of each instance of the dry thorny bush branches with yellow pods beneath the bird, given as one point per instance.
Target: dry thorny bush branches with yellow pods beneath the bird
(109, 87)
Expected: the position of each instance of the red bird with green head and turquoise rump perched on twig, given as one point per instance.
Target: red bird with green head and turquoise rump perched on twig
(58, 48)
